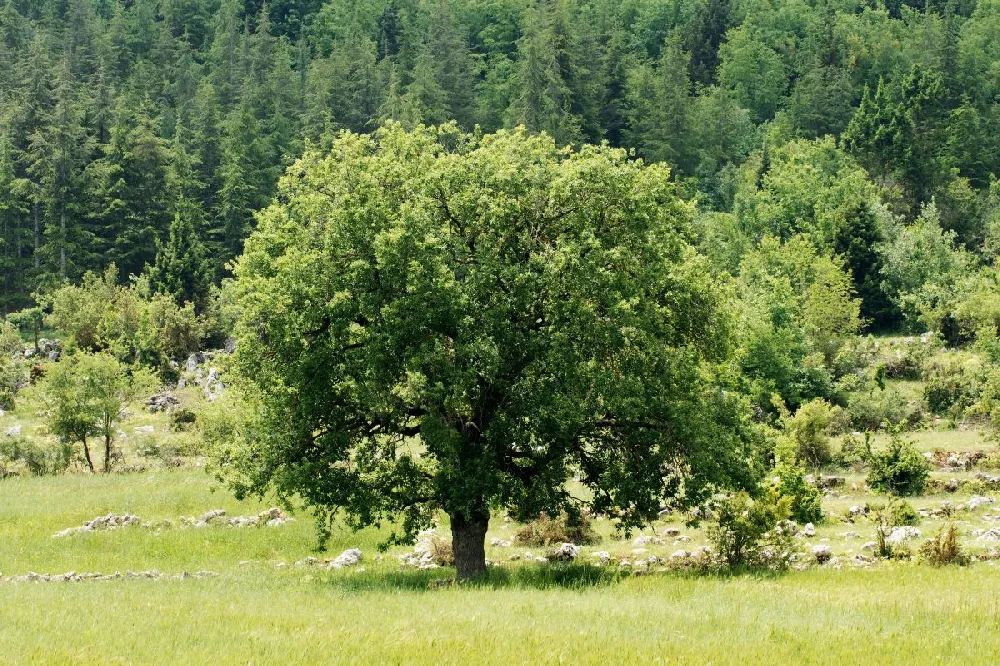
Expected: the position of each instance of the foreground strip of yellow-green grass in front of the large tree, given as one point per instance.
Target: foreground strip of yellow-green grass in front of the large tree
(898, 614)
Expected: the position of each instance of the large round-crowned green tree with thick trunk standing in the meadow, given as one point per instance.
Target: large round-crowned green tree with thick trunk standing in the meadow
(437, 321)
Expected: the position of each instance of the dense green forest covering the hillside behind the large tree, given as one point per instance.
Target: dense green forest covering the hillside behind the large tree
(148, 133)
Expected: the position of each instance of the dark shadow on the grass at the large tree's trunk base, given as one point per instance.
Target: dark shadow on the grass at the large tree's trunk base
(528, 577)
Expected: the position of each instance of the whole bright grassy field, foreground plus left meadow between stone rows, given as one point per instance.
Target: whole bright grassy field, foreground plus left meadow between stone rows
(257, 612)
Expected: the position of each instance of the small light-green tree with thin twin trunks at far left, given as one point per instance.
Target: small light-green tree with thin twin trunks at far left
(86, 394)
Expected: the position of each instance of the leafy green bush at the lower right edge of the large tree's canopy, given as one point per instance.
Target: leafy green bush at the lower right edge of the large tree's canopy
(749, 533)
